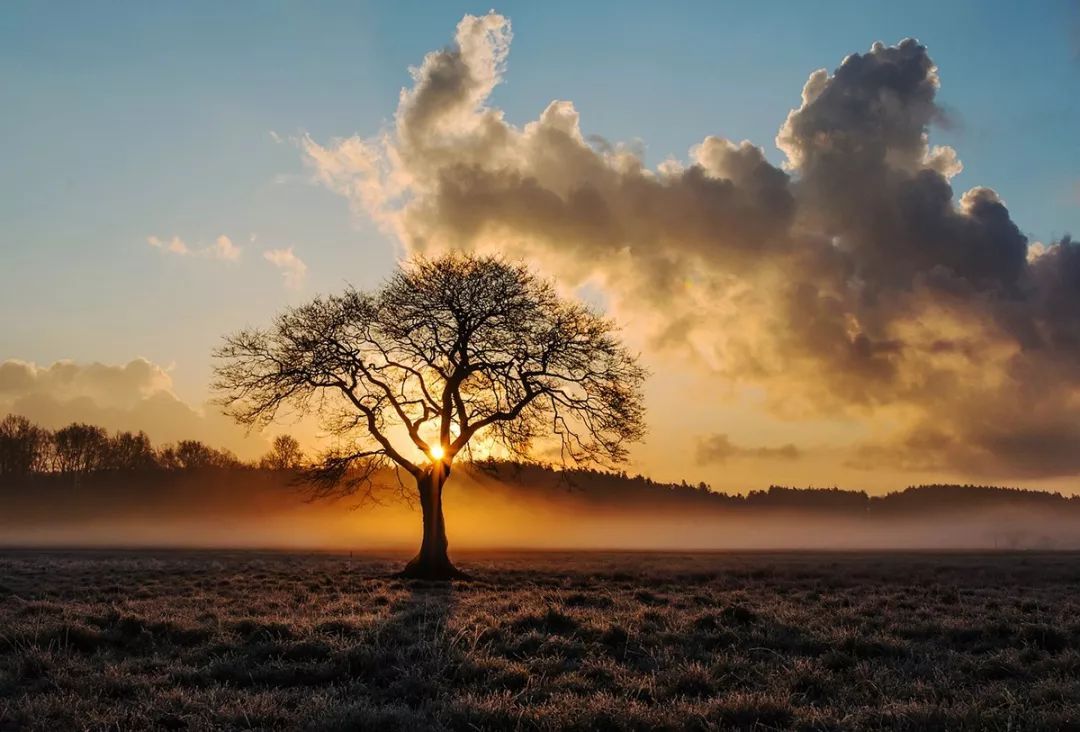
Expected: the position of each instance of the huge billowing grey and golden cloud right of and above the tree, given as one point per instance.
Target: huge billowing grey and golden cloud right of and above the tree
(853, 281)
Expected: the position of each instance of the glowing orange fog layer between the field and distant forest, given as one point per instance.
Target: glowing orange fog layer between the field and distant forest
(255, 509)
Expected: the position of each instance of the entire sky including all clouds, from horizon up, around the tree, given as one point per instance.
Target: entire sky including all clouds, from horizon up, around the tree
(174, 173)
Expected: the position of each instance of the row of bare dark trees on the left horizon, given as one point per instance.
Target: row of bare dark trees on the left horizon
(83, 450)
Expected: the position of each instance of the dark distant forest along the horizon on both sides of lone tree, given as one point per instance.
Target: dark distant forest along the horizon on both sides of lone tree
(89, 455)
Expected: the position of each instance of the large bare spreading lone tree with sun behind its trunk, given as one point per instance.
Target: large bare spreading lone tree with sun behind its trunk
(448, 355)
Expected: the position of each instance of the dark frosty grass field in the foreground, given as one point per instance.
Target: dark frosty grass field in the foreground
(267, 641)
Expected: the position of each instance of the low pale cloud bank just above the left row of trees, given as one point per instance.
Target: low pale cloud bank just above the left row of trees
(137, 396)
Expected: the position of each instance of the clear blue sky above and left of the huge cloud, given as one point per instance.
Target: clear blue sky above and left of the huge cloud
(131, 120)
